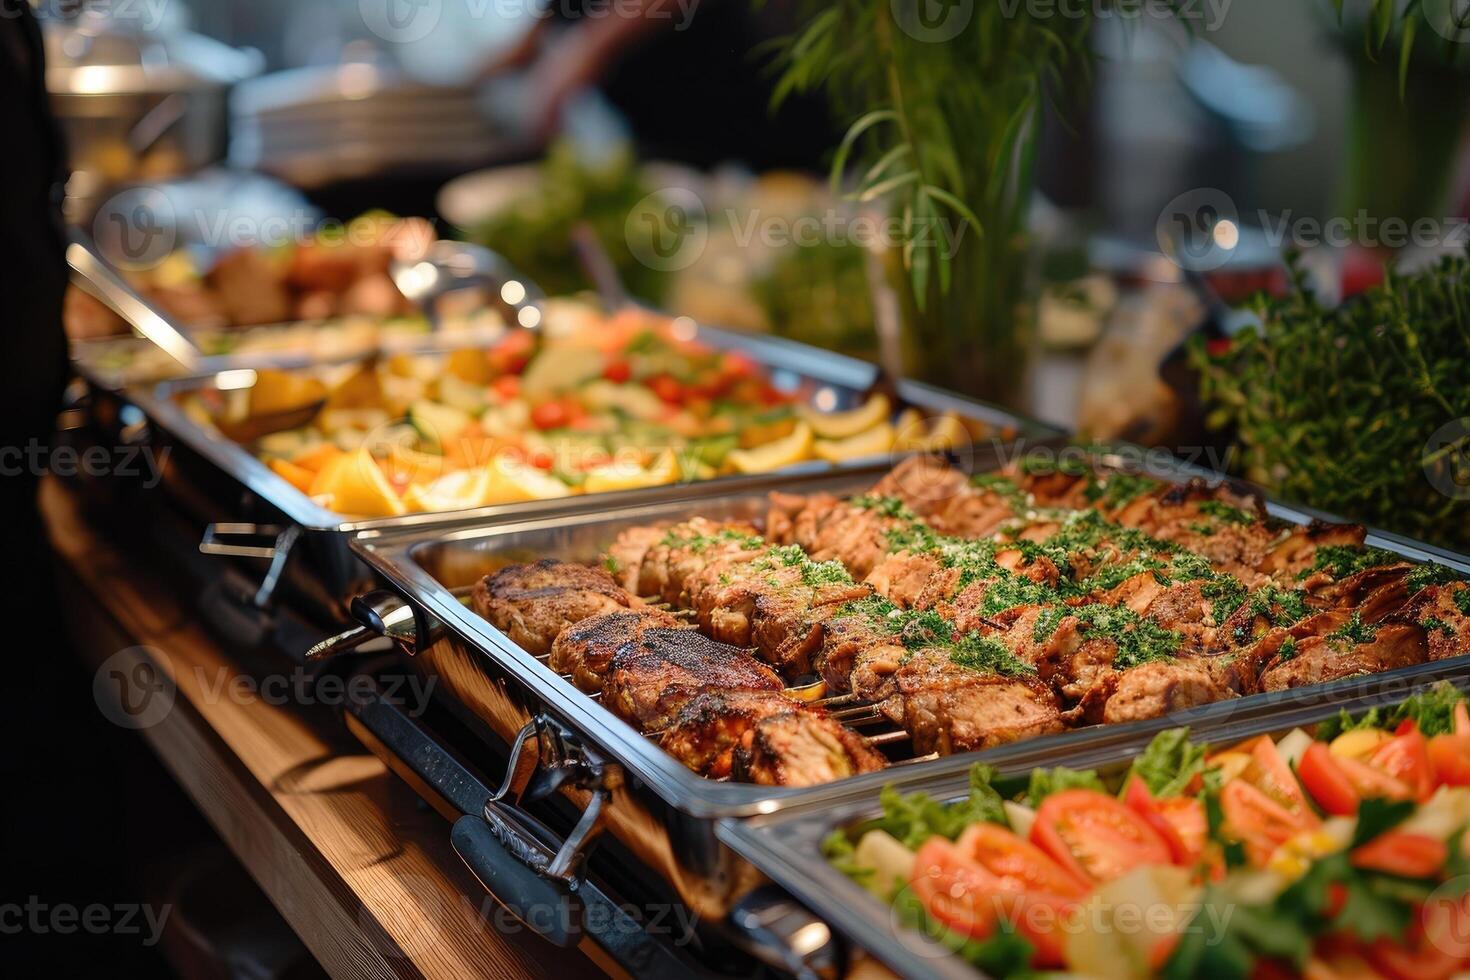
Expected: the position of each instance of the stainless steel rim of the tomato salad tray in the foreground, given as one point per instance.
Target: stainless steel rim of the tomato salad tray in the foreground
(787, 846)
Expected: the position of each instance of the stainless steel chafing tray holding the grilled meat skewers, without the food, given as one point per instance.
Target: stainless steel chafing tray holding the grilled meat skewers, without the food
(662, 810)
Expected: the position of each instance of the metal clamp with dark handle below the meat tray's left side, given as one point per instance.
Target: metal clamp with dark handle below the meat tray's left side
(517, 857)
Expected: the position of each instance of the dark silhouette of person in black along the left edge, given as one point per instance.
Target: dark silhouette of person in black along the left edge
(64, 837)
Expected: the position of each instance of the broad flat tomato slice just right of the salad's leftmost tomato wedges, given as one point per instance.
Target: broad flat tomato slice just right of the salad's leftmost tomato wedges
(1096, 837)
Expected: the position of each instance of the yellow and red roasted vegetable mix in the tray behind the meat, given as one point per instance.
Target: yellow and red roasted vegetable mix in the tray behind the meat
(589, 405)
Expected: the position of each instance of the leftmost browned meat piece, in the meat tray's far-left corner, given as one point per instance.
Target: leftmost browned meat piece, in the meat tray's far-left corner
(534, 603)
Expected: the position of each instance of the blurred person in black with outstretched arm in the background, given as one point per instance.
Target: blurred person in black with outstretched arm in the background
(687, 76)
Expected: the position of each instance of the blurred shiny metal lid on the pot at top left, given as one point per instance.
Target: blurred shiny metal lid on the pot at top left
(101, 54)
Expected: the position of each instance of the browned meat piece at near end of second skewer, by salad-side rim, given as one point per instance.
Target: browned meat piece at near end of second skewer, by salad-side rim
(952, 709)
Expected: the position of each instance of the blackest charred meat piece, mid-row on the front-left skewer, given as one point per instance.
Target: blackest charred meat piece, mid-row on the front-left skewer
(650, 681)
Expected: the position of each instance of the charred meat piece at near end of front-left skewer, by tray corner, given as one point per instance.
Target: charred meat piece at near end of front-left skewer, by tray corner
(802, 749)
